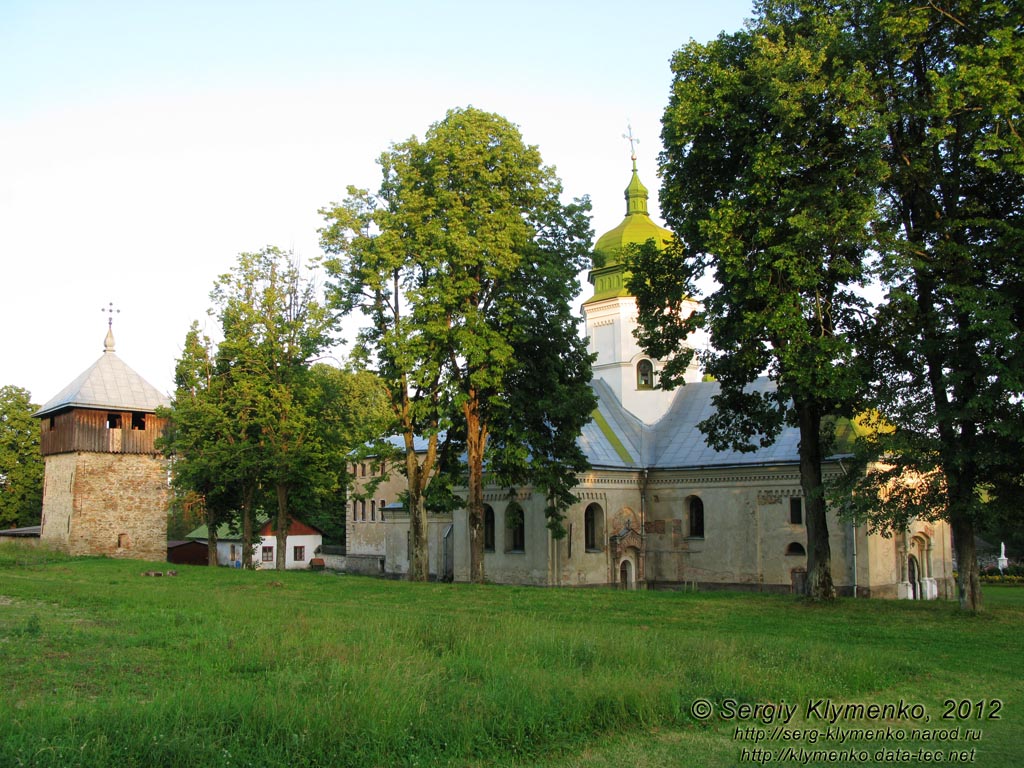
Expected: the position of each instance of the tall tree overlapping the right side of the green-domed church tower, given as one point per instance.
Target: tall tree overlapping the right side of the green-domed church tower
(770, 186)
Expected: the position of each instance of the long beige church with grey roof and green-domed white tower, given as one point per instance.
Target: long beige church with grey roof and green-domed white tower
(659, 508)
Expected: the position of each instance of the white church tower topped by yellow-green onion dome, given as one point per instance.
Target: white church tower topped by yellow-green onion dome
(612, 313)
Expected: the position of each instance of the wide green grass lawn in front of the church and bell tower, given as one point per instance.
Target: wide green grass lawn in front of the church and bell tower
(104, 667)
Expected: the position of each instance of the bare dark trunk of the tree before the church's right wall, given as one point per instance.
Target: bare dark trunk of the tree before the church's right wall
(820, 582)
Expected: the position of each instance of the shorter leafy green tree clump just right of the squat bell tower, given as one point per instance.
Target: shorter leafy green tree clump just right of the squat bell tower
(255, 420)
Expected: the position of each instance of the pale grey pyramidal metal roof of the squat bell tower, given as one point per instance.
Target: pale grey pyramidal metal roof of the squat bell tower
(109, 383)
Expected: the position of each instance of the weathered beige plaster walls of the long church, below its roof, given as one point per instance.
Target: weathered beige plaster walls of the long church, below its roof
(644, 529)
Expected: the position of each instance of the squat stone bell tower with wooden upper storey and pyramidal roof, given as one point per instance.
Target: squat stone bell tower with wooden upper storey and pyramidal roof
(105, 491)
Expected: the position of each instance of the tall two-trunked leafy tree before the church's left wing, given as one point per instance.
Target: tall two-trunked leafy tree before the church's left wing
(465, 222)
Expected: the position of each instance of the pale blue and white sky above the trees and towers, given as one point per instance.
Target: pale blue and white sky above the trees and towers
(145, 145)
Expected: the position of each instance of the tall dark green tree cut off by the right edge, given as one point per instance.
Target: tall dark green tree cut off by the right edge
(947, 343)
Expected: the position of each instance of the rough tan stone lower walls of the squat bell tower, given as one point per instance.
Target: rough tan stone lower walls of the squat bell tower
(107, 504)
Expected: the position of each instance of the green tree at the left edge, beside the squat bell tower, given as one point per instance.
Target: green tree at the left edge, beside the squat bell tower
(21, 462)
